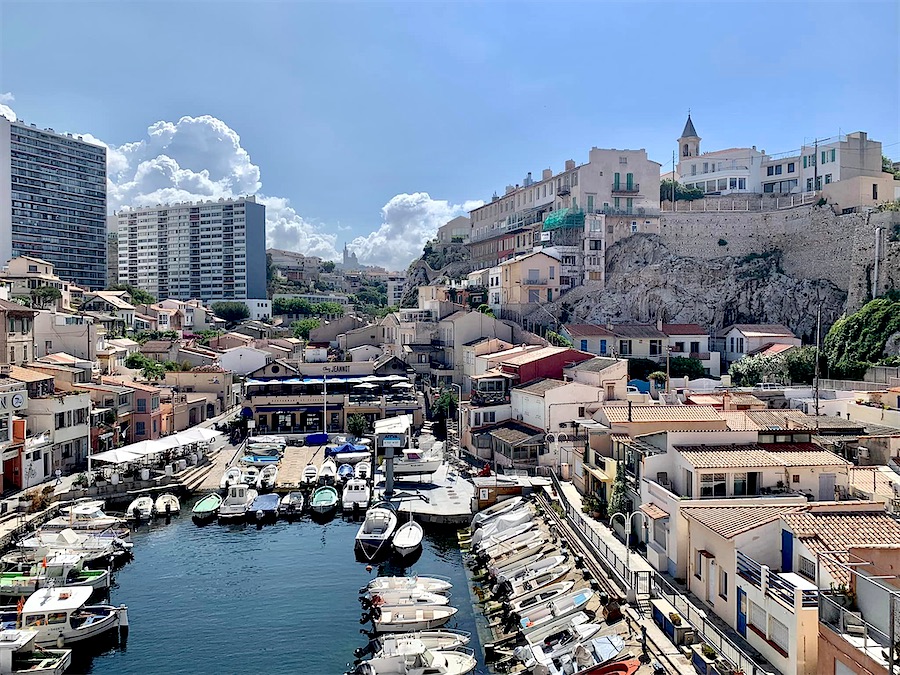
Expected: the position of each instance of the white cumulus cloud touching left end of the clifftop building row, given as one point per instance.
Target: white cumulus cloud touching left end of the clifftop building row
(408, 221)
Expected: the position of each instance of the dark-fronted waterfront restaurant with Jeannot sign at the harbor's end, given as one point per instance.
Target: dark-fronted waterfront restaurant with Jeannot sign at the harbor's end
(295, 397)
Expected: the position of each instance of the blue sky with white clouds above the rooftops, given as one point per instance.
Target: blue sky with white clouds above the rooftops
(374, 123)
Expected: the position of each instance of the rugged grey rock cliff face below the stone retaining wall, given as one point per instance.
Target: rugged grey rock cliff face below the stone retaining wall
(645, 280)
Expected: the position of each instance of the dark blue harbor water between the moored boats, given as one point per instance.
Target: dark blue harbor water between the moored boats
(238, 599)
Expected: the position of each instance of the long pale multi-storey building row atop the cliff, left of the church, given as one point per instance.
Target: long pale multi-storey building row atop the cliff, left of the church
(620, 184)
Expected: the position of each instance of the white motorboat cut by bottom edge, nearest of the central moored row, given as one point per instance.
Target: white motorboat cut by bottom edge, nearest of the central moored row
(410, 656)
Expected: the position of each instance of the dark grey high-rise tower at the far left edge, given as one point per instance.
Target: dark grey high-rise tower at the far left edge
(53, 201)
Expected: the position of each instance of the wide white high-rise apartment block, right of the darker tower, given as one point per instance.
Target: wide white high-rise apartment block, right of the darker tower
(205, 250)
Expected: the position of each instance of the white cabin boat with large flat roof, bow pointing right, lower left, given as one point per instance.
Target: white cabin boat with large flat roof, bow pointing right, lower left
(73, 620)
